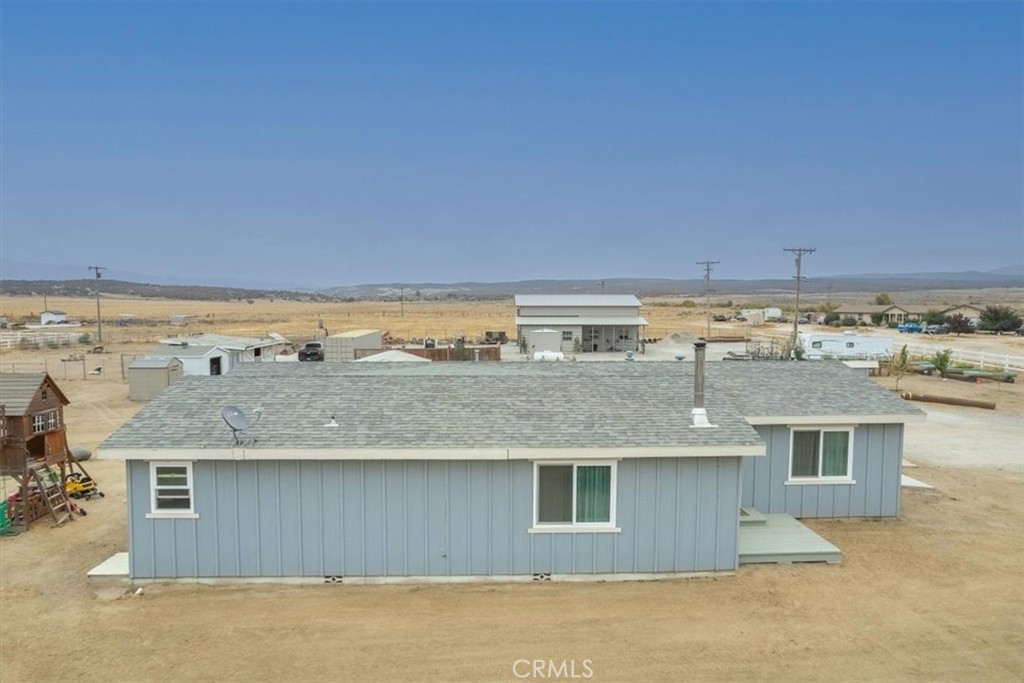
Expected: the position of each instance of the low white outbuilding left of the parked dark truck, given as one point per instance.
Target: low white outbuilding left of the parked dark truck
(217, 355)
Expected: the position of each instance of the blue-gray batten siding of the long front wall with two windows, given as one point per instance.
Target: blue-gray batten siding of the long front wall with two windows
(429, 519)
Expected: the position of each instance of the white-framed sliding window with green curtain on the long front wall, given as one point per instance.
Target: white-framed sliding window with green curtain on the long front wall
(574, 497)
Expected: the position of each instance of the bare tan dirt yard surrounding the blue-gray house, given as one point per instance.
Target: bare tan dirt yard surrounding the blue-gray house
(935, 595)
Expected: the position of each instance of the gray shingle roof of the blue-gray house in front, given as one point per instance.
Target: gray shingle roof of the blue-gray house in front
(496, 405)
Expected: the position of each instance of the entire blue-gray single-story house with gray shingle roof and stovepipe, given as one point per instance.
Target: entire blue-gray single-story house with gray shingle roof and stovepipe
(398, 472)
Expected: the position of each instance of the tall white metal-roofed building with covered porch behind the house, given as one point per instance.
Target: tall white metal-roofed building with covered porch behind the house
(586, 322)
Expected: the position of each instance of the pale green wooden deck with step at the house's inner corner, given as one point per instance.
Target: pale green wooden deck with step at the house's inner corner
(781, 539)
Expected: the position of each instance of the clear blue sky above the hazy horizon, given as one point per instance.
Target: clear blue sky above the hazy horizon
(328, 144)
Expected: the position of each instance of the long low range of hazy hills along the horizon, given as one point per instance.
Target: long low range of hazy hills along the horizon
(19, 278)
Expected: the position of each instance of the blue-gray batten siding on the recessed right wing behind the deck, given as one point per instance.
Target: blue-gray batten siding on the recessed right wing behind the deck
(877, 468)
